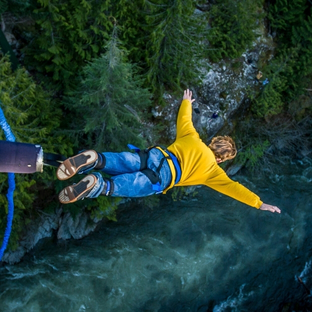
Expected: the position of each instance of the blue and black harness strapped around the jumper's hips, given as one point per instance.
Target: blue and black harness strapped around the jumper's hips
(153, 176)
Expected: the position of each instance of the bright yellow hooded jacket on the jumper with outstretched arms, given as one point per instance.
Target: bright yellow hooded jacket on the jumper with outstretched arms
(198, 163)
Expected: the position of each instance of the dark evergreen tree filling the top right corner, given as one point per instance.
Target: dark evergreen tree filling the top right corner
(292, 20)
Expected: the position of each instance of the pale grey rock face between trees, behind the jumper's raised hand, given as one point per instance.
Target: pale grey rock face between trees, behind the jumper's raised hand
(223, 91)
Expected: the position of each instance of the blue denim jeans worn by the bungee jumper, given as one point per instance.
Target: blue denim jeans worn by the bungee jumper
(128, 180)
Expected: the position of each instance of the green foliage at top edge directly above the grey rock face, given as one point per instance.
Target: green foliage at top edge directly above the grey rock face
(233, 25)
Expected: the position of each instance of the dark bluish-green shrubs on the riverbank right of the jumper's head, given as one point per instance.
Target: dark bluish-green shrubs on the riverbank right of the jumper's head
(263, 144)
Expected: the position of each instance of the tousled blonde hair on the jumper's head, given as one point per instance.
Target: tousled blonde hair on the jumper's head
(223, 147)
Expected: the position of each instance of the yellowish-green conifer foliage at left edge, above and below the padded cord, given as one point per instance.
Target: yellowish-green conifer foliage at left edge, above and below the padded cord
(33, 118)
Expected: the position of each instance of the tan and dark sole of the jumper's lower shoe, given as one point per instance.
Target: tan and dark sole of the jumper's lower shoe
(72, 193)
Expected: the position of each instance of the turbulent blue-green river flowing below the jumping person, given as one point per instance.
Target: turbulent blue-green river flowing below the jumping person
(205, 252)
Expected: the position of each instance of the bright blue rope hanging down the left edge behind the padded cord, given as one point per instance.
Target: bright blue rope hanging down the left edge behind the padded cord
(9, 137)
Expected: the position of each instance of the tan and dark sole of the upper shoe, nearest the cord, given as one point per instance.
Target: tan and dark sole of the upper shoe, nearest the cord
(71, 165)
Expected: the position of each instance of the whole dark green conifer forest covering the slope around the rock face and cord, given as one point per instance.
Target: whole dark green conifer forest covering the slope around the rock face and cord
(87, 74)
